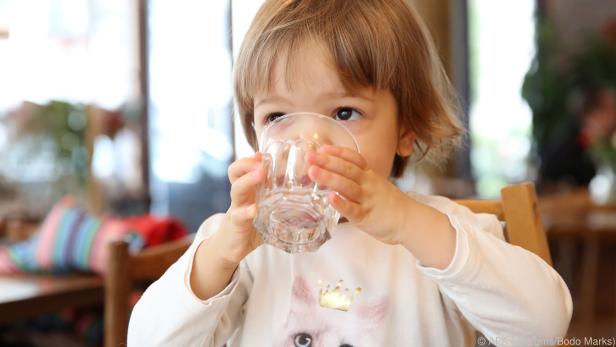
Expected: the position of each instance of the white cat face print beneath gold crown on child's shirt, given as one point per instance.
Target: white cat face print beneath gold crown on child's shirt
(310, 325)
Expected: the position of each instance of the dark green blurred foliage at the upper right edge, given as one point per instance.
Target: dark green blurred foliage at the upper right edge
(555, 85)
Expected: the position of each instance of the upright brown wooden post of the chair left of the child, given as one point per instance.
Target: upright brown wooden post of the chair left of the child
(117, 289)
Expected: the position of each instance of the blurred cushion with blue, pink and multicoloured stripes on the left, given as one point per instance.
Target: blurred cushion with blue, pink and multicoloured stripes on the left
(69, 239)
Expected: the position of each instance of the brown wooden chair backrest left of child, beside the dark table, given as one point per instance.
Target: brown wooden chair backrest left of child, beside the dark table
(124, 271)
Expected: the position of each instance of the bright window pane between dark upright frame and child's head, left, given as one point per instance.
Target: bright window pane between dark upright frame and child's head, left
(190, 102)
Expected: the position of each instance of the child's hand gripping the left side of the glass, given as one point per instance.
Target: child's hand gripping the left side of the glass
(237, 233)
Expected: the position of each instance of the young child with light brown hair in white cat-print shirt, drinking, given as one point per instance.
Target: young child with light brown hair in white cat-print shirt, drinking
(421, 270)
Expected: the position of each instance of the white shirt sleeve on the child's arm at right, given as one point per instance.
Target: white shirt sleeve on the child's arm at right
(508, 293)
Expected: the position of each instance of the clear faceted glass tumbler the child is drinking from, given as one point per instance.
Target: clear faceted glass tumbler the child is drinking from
(294, 213)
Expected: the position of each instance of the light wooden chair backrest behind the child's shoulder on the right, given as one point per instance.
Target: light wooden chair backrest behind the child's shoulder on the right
(519, 209)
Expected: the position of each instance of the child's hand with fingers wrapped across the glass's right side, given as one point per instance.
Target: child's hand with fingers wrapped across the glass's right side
(369, 201)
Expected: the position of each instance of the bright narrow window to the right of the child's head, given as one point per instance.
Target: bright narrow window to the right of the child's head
(502, 48)
